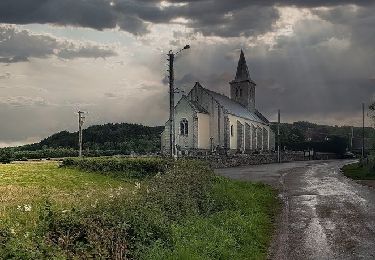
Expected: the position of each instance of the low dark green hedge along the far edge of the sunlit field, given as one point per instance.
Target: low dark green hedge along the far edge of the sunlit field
(125, 167)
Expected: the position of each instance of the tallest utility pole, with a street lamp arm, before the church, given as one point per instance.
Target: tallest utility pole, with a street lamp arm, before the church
(171, 57)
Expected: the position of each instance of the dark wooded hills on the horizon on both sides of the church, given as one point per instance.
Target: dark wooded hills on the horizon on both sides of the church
(124, 138)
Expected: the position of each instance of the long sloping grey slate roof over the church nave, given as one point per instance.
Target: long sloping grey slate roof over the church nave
(236, 109)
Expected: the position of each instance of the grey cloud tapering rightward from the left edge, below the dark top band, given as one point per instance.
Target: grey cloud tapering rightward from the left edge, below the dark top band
(19, 46)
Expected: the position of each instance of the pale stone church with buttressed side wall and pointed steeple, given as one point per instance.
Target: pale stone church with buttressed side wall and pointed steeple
(206, 121)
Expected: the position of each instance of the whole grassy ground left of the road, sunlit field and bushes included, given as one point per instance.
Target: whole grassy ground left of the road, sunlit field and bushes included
(180, 211)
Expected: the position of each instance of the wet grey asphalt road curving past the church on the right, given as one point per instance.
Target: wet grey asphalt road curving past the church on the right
(325, 215)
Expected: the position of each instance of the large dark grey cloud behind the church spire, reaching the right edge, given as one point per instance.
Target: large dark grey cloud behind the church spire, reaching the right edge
(325, 67)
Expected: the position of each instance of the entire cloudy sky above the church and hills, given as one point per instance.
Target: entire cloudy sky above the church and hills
(314, 60)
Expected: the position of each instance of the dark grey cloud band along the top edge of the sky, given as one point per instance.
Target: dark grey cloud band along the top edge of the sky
(210, 17)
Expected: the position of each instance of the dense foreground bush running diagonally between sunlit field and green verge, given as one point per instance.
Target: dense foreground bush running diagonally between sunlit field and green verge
(127, 228)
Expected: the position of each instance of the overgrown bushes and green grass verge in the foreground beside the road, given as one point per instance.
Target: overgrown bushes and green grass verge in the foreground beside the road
(185, 212)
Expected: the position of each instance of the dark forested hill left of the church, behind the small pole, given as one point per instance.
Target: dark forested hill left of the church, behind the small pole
(122, 137)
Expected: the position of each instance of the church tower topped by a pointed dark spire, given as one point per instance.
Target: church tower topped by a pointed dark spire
(242, 88)
